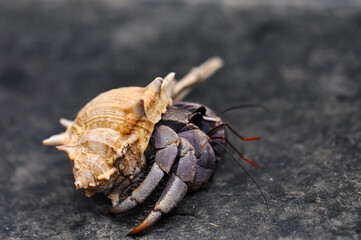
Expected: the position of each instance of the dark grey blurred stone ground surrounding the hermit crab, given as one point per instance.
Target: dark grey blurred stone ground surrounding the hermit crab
(301, 59)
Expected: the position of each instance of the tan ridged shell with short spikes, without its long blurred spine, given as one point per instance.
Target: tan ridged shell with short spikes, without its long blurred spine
(115, 125)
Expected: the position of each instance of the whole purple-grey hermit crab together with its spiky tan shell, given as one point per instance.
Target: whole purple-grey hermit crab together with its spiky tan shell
(123, 132)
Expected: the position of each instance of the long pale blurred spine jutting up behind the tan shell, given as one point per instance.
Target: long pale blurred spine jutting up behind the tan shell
(196, 75)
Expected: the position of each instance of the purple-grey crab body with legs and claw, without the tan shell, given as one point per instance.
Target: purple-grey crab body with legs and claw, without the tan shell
(180, 149)
